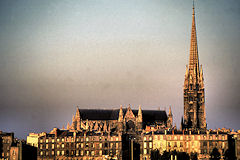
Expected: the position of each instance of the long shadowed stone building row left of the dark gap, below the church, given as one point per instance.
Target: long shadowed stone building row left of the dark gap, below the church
(64, 144)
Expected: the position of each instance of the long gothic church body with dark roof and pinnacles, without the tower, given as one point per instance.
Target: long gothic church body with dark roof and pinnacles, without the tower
(123, 119)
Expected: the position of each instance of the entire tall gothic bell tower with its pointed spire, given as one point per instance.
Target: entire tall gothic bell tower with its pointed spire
(194, 95)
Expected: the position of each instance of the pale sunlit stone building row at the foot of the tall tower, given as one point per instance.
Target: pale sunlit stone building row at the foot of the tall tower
(186, 141)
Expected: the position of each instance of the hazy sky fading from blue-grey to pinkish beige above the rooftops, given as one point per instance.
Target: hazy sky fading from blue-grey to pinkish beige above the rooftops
(56, 55)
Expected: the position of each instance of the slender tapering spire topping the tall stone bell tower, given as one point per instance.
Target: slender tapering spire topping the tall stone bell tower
(193, 58)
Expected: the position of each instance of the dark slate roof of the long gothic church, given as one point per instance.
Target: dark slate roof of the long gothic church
(102, 114)
